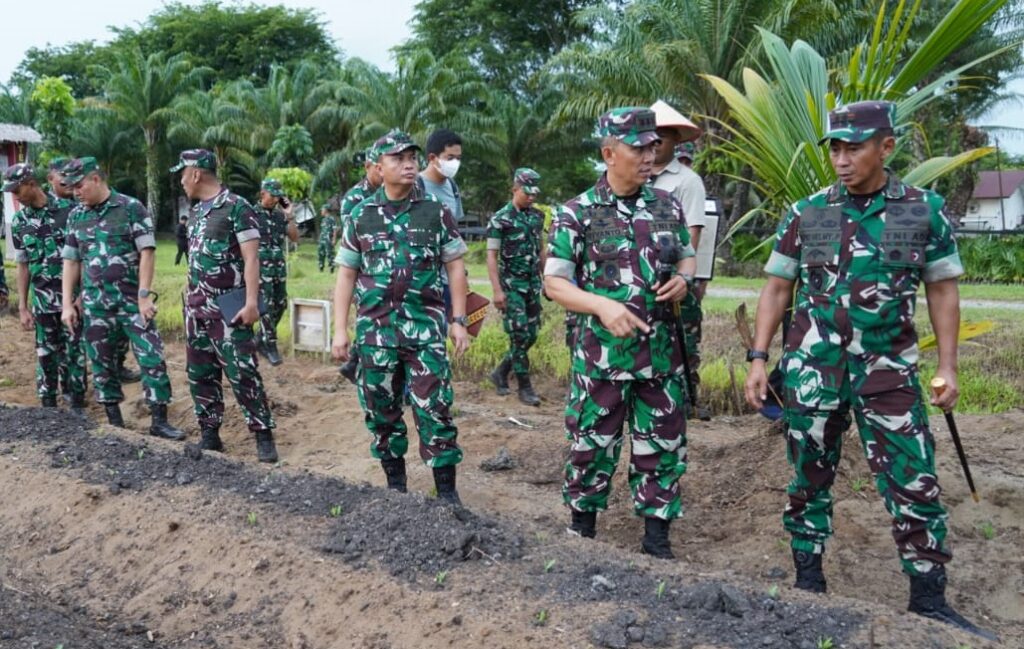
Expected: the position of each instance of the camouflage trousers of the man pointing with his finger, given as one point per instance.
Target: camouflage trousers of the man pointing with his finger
(594, 417)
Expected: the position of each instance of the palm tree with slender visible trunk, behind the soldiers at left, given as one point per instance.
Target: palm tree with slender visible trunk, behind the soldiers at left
(142, 92)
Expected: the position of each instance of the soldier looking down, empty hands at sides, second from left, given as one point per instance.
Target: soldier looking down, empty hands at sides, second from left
(111, 235)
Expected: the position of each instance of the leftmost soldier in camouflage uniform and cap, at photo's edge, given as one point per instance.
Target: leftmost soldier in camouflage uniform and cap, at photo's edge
(38, 232)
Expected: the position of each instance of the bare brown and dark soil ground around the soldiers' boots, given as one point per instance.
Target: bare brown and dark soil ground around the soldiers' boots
(113, 539)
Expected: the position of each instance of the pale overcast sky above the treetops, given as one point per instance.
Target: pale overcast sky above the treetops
(367, 29)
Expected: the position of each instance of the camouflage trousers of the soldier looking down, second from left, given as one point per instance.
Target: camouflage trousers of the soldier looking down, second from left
(104, 333)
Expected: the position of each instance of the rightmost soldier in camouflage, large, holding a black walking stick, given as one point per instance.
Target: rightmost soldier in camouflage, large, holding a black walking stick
(859, 251)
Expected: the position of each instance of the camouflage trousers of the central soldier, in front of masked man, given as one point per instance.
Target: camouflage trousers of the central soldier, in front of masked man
(383, 375)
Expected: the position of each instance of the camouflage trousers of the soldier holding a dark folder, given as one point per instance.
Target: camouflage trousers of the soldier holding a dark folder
(214, 350)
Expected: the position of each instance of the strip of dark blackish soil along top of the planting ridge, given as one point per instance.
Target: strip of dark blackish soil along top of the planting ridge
(419, 540)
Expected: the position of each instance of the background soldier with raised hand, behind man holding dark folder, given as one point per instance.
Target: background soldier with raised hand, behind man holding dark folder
(276, 222)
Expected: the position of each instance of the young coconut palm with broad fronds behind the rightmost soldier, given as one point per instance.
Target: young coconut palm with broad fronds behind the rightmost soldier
(784, 154)
